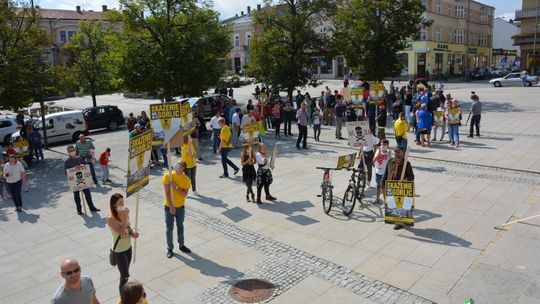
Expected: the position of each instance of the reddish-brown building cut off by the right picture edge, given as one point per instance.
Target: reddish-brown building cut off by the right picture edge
(528, 39)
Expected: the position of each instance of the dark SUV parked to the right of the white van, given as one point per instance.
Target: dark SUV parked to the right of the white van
(109, 117)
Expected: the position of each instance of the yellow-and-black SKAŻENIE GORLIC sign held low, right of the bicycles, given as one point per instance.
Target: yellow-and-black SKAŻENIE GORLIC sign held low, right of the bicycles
(399, 202)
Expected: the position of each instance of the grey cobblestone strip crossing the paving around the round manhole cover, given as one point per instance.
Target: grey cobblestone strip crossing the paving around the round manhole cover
(286, 266)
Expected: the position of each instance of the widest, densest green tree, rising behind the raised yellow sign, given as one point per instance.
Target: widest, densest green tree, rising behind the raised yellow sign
(172, 47)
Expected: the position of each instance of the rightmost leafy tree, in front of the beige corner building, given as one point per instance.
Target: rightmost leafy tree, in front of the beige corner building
(371, 33)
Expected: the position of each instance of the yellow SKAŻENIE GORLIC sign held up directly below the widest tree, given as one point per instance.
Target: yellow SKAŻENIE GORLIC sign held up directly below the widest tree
(166, 122)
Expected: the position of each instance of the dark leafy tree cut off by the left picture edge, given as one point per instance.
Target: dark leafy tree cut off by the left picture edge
(21, 46)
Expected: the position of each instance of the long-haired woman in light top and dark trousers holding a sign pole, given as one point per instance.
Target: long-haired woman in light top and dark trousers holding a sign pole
(121, 232)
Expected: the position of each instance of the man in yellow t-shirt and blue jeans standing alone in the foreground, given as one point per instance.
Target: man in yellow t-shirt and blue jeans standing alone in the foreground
(176, 189)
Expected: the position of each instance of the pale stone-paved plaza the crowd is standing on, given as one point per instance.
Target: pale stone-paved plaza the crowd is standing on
(452, 253)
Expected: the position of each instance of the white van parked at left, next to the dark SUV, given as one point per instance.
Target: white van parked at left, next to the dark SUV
(61, 126)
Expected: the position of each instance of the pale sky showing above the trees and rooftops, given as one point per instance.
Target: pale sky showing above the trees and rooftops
(228, 8)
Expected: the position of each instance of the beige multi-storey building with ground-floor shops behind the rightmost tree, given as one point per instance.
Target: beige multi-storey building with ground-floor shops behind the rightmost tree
(459, 40)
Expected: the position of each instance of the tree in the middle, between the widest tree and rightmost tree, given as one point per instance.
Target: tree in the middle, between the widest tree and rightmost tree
(286, 42)
